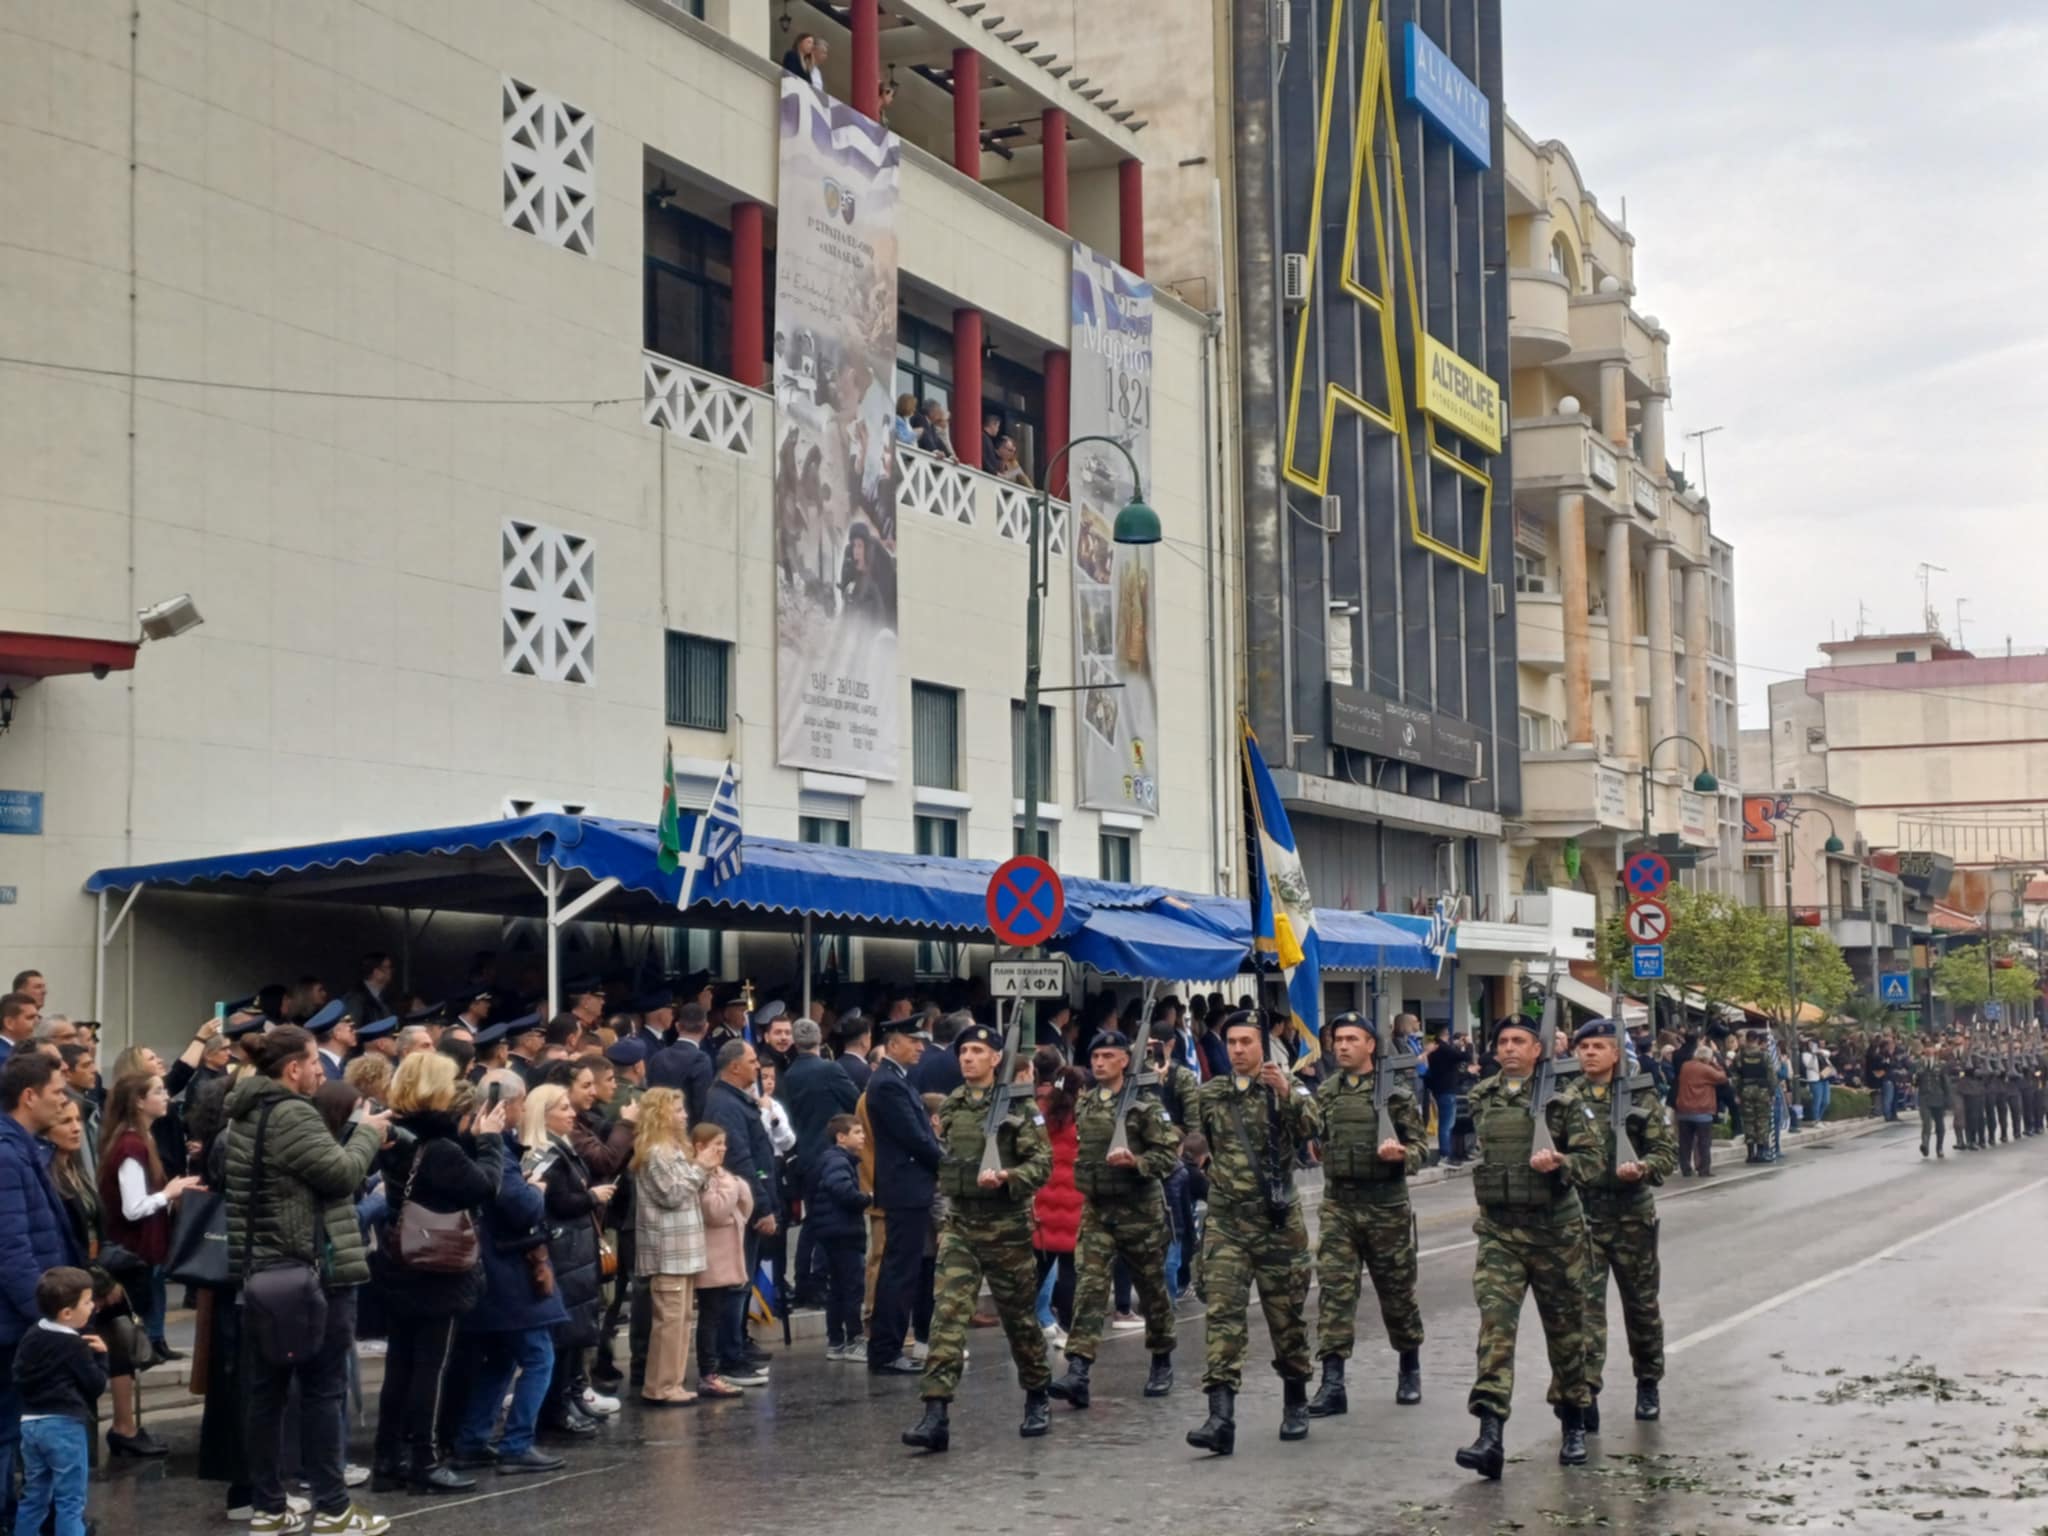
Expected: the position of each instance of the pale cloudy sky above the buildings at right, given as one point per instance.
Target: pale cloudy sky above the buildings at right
(1842, 218)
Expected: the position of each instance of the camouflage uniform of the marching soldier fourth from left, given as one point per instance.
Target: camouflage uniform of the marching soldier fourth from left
(1367, 1215)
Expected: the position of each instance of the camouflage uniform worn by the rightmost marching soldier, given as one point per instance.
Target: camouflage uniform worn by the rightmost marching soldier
(1621, 1228)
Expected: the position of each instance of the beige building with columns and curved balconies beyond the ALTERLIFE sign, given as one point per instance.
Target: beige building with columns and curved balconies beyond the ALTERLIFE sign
(1625, 597)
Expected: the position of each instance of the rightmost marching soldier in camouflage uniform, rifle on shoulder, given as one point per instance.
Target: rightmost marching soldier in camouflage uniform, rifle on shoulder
(1621, 1222)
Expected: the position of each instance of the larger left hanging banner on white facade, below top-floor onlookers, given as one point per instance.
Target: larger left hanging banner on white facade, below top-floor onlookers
(837, 468)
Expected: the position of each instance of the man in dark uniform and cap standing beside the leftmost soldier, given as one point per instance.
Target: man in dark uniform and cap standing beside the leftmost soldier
(906, 1179)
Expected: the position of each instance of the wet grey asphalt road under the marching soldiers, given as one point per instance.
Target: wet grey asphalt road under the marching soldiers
(1857, 1342)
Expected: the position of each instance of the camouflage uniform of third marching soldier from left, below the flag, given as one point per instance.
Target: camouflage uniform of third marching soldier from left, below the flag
(1242, 1240)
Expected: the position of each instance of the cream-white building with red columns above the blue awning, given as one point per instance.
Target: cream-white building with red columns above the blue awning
(445, 392)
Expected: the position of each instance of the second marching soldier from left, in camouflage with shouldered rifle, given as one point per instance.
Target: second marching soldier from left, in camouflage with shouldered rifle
(1123, 1218)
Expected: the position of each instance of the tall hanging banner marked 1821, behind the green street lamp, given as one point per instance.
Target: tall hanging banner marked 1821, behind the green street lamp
(1115, 634)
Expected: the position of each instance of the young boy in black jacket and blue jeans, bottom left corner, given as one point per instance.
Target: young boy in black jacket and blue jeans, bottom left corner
(60, 1377)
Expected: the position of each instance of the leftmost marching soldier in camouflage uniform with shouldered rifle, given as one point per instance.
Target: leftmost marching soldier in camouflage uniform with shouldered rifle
(986, 1234)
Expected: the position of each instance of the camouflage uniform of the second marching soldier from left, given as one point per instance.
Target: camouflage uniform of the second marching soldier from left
(1123, 1218)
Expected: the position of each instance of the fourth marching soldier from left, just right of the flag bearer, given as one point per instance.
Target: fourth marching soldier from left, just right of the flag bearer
(1367, 1215)
